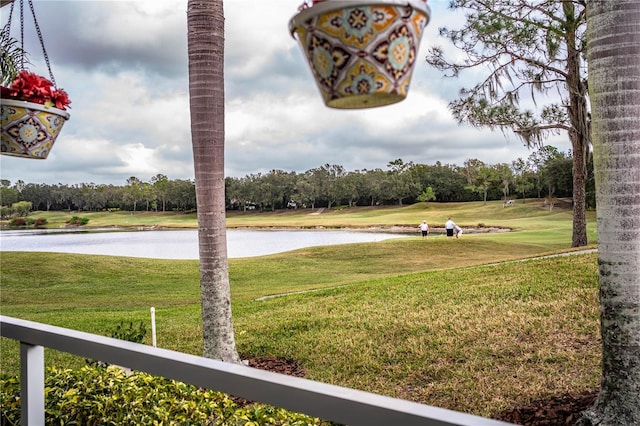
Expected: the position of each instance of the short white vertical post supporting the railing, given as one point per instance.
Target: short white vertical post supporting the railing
(31, 384)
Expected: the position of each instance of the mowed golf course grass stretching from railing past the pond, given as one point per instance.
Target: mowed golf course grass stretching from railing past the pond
(435, 321)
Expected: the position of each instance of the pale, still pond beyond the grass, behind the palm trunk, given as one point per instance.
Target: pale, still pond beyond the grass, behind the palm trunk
(177, 244)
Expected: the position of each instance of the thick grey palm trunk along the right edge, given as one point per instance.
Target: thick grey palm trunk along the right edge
(614, 84)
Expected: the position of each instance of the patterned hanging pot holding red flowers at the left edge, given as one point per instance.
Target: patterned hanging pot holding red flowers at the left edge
(29, 129)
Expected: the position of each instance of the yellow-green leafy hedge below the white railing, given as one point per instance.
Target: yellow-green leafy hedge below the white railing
(96, 395)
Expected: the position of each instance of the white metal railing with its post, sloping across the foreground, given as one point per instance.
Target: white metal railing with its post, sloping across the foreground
(329, 402)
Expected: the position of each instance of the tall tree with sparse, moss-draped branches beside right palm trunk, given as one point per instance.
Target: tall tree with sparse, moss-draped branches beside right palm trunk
(529, 51)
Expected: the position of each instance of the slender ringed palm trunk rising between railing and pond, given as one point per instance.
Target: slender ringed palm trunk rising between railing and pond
(205, 19)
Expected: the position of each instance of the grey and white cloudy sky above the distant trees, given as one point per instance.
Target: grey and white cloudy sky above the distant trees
(124, 65)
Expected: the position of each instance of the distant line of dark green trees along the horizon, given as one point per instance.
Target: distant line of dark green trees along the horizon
(545, 173)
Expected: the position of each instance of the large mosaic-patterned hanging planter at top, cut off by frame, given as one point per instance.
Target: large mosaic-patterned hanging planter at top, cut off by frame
(361, 52)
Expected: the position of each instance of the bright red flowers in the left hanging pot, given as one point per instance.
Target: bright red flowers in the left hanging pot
(31, 87)
